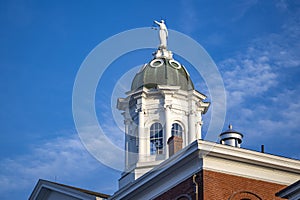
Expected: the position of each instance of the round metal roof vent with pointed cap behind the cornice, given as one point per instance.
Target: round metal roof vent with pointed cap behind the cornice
(231, 137)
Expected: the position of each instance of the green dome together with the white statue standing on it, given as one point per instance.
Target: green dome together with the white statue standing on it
(162, 69)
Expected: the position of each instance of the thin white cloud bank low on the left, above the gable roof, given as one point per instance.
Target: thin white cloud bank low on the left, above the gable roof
(64, 159)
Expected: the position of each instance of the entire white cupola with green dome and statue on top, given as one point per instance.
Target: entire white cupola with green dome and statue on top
(162, 112)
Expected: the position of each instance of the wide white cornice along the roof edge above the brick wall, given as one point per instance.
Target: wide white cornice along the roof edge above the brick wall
(205, 155)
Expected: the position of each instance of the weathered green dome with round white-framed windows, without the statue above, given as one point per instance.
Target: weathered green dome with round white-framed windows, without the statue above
(162, 71)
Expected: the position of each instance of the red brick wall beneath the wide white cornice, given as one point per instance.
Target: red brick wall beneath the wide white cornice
(220, 186)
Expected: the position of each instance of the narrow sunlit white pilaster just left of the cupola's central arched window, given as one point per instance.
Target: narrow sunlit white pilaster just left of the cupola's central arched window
(142, 136)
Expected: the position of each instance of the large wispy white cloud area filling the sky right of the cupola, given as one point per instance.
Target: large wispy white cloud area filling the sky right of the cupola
(262, 91)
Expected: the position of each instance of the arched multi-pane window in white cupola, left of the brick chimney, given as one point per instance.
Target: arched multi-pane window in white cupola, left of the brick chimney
(156, 139)
